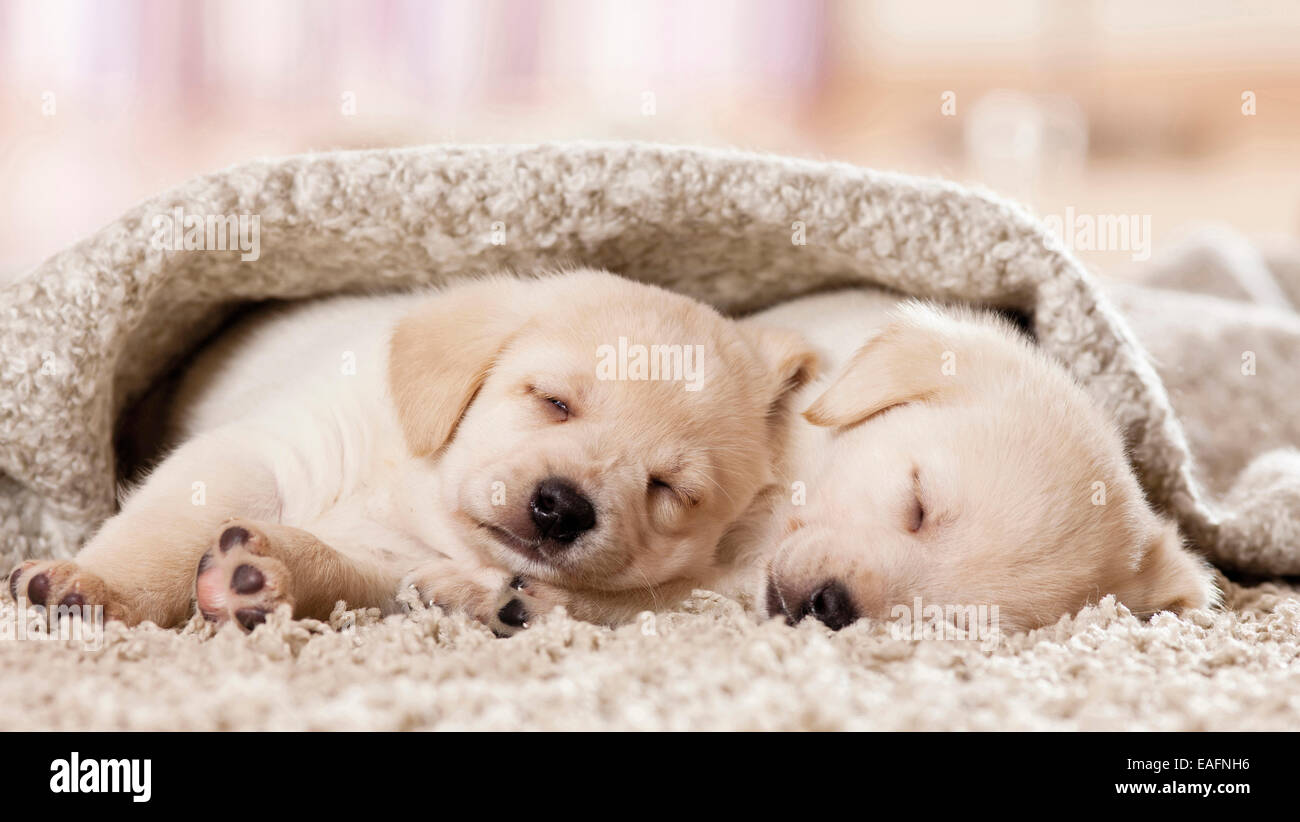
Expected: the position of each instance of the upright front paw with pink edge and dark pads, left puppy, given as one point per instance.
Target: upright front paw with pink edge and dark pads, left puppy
(237, 581)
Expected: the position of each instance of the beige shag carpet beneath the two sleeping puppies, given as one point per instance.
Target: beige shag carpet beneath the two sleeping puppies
(708, 667)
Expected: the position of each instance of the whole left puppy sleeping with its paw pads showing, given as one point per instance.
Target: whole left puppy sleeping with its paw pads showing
(480, 445)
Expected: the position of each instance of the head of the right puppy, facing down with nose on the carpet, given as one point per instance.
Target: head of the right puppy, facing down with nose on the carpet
(956, 465)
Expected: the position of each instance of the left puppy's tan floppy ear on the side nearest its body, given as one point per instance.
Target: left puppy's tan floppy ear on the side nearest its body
(441, 353)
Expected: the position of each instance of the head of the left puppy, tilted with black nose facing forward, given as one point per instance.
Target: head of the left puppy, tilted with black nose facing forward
(588, 431)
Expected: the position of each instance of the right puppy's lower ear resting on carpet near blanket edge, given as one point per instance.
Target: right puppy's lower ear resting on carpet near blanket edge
(1169, 577)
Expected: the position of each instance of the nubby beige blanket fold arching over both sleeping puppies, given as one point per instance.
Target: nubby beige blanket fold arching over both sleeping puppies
(85, 334)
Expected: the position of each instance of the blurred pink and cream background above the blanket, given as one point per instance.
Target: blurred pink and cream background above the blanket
(1185, 113)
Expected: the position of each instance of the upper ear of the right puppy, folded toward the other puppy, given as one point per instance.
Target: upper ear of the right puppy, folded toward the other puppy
(907, 362)
